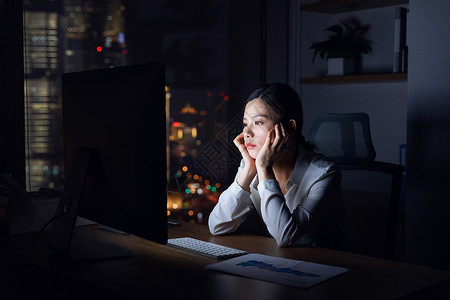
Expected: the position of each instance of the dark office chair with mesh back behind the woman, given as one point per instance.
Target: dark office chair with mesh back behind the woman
(344, 138)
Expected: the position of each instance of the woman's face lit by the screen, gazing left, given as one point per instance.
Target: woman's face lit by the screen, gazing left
(259, 118)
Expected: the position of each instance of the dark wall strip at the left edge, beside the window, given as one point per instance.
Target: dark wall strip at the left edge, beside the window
(12, 139)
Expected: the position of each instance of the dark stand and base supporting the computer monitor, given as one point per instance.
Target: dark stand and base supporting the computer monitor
(62, 238)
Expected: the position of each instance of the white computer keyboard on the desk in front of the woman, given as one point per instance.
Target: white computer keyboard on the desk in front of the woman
(204, 248)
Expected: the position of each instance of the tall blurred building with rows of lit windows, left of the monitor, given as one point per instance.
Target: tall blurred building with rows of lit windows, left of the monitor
(43, 68)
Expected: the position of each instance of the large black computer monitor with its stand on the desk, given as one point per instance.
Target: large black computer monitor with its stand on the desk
(114, 124)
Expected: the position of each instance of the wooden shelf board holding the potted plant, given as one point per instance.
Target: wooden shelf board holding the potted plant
(390, 77)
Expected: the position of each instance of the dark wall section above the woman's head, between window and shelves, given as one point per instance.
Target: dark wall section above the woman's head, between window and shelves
(259, 41)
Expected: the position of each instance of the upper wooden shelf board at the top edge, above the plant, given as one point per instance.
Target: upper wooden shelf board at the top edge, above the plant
(340, 6)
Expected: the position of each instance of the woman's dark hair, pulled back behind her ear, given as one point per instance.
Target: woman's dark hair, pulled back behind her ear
(285, 101)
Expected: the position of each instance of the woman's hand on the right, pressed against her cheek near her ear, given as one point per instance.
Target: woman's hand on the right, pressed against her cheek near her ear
(277, 140)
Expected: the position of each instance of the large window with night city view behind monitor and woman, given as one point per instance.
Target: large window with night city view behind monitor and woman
(191, 37)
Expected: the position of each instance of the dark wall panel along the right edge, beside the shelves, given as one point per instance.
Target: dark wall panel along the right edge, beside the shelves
(427, 232)
